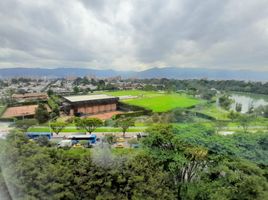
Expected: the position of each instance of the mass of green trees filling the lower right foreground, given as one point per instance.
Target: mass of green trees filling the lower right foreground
(205, 165)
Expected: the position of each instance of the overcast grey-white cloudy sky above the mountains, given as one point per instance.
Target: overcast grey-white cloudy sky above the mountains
(134, 34)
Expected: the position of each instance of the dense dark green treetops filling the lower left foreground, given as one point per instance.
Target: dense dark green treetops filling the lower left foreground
(35, 172)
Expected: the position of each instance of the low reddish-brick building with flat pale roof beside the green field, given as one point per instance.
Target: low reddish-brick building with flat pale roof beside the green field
(89, 104)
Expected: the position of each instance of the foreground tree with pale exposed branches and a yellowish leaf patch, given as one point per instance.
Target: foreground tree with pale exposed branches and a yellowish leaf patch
(181, 159)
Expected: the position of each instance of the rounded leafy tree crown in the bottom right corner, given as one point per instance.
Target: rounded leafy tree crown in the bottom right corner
(229, 179)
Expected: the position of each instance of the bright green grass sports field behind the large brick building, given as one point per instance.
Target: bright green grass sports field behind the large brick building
(157, 101)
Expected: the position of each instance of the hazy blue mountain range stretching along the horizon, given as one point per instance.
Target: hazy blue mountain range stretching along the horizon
(168, 72)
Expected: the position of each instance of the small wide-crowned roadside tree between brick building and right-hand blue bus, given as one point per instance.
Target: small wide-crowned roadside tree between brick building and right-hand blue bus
(89, 124)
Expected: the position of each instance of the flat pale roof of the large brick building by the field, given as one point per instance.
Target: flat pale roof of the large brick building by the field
(88, 97)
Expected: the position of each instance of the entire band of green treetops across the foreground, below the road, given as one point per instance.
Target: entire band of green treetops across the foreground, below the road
(189, 162)
